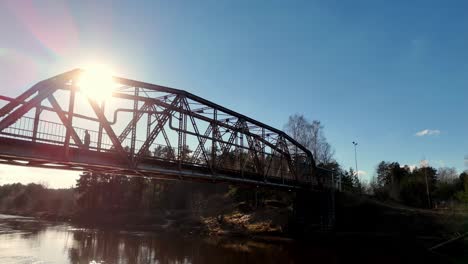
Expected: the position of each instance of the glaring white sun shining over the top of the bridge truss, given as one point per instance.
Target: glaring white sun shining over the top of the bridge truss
(97, 82)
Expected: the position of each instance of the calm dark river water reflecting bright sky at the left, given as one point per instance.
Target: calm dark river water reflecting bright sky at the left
(26, 240)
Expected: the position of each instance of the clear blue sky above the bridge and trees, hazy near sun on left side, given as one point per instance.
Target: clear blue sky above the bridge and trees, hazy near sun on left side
(375, 72)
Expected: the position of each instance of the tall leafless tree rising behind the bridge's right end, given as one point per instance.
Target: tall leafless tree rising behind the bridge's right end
(310, 135)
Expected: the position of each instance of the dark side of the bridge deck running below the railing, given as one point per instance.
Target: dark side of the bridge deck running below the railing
(23, 153)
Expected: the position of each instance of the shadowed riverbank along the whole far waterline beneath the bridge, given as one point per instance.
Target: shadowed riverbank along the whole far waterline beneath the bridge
(355, 216)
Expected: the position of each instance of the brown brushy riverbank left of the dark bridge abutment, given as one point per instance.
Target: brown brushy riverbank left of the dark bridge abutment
(236, 220)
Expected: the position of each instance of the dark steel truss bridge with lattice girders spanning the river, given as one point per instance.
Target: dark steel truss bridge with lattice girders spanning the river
(146, 130)
